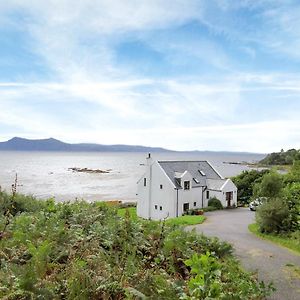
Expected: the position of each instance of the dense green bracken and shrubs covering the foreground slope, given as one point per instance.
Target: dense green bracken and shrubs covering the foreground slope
(78, 250)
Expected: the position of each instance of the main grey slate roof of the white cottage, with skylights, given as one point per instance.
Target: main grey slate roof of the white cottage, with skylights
(194, 168)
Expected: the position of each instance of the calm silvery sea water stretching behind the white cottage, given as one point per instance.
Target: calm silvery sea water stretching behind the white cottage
(46, 174)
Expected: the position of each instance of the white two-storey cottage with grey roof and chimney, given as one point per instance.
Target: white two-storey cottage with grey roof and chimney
(169, 188)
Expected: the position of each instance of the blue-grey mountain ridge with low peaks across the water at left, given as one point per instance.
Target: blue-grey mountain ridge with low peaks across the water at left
(20, 144)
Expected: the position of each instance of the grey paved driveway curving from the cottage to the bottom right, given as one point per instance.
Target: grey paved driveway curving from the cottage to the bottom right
(272, 262)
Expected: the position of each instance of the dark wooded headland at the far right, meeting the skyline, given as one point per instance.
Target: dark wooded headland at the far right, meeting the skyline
(281, 158)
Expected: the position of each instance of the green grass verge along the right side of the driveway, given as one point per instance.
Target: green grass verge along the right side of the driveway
(285, 241)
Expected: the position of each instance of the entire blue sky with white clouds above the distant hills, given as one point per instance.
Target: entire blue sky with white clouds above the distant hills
(180, 74)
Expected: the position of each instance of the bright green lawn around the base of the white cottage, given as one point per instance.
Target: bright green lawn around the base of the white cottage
(183, 220)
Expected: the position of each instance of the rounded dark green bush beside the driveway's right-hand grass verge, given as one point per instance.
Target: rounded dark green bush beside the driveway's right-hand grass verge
(273, 216)
